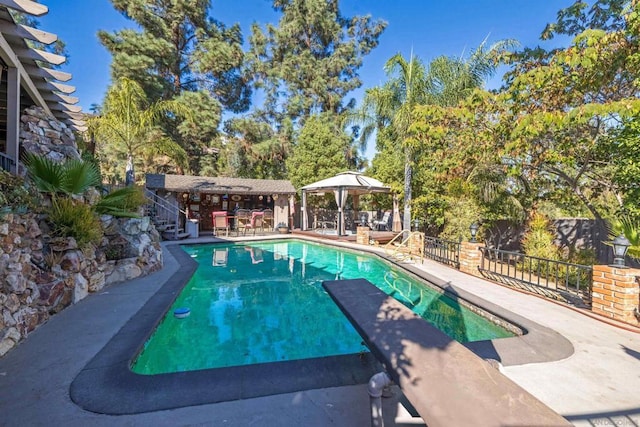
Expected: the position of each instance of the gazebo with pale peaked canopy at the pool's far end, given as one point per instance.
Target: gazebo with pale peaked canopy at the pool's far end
(342, 185)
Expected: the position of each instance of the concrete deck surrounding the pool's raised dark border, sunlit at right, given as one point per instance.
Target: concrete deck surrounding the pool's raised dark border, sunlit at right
(598, 385)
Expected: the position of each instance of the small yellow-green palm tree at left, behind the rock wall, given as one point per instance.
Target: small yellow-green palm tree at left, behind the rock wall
(130, 124)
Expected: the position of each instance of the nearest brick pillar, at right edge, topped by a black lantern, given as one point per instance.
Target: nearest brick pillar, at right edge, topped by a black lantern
(615, 293)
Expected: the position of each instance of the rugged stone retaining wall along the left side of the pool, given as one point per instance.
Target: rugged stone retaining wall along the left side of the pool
(40, 276)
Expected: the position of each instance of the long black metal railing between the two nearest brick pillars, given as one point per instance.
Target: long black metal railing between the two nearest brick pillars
(555, 279)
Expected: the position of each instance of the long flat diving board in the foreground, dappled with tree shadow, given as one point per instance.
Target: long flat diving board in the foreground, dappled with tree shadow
(445, 382)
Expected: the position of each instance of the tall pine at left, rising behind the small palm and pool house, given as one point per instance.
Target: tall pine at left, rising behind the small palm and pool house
(181, 53)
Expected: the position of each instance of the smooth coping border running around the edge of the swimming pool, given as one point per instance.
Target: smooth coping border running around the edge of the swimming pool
(107, 385)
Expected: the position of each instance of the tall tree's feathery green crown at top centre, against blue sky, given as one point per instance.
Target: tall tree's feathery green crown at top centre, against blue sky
(310, 61)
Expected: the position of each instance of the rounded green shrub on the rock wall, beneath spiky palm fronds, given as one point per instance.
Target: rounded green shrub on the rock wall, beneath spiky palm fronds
(77, 220)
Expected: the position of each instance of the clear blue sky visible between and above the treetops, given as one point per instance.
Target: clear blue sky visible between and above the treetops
(430, 27)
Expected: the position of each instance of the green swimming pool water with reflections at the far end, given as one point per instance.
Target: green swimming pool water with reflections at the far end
(263, 302)
